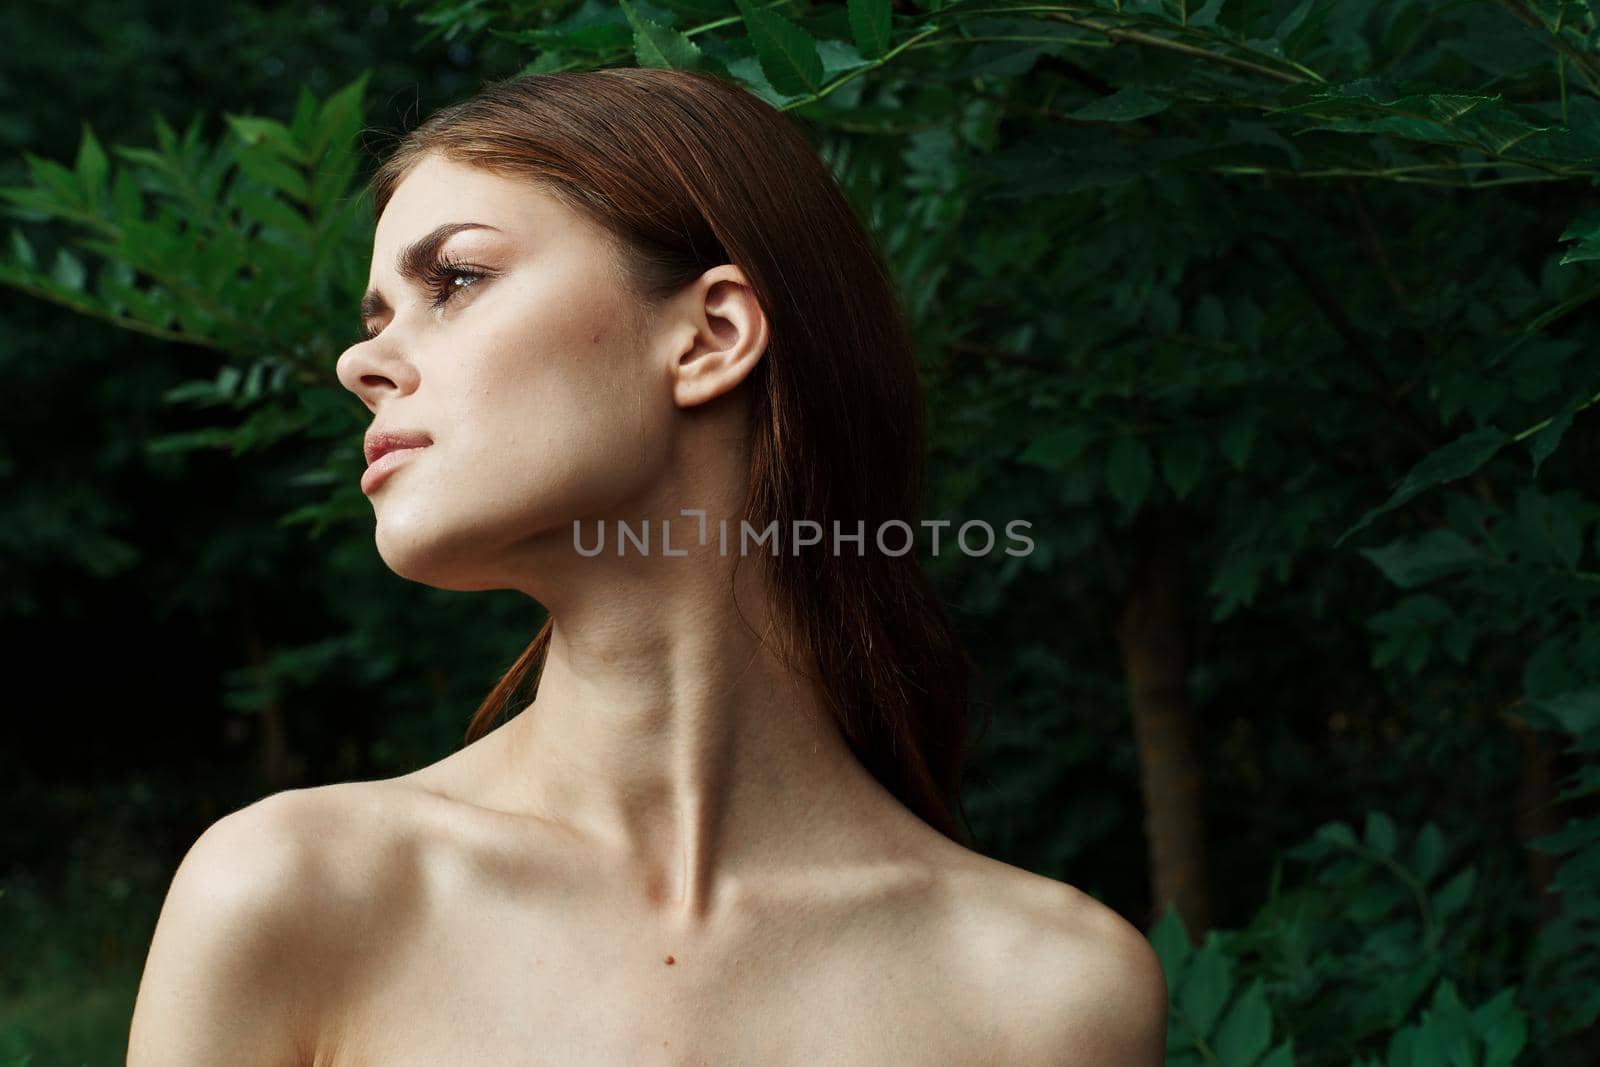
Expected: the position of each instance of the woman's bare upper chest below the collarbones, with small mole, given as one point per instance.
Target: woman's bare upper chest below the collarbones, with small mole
(514, 989)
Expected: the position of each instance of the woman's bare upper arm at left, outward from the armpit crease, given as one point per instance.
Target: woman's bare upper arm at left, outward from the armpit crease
(222, 981)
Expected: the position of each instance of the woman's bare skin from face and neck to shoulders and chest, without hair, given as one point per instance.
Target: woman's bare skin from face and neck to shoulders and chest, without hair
(671, 857)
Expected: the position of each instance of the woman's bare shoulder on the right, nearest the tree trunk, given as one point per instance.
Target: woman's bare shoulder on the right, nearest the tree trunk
(1071, 981)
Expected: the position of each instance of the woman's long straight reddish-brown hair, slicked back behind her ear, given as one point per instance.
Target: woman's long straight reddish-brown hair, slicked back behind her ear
(689, 172)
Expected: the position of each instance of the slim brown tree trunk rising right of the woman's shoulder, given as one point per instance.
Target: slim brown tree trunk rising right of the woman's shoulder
(1156, 661)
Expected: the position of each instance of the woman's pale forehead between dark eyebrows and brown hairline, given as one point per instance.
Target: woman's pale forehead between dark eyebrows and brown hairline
(441, 191)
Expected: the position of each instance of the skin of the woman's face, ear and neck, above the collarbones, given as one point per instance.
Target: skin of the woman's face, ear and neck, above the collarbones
(663, 730)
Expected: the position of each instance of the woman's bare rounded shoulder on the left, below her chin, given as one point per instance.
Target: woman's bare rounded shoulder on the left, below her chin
(255, 925)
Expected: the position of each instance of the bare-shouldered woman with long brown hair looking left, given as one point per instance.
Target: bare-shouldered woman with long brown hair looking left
(719, 831)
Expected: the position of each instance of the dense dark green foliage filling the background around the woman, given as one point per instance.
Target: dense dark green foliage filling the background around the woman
(1298, 292)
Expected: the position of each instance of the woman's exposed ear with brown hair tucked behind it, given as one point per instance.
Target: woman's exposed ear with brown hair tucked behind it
(727, 337)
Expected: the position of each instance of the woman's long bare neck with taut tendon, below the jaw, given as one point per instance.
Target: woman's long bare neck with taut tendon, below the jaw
(670, 735)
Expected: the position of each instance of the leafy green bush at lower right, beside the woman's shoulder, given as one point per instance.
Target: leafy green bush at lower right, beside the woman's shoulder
(1374, 949)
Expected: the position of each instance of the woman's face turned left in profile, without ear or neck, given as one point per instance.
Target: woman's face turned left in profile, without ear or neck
(513, 346)
